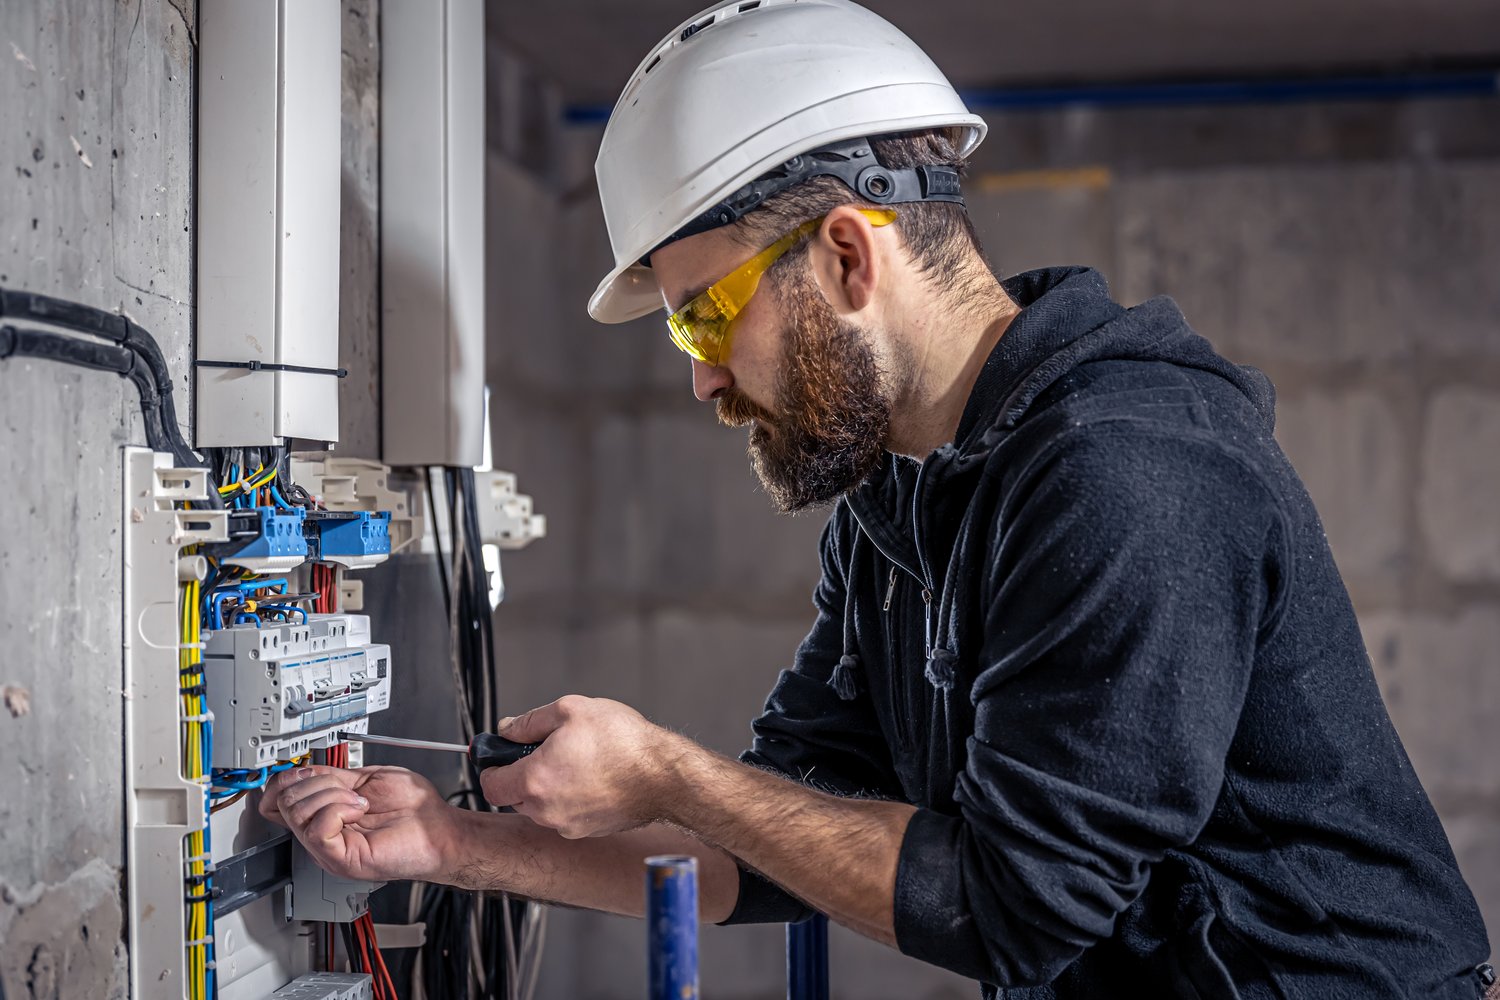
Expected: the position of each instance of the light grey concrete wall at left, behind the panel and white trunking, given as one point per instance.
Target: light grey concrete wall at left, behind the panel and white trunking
(97, 112)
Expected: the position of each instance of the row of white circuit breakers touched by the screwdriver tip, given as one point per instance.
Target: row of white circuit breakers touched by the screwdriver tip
(278, 692)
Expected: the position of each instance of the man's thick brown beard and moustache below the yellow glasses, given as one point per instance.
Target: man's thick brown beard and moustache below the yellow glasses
(832, 407)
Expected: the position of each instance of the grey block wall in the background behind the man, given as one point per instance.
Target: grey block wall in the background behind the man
(1346, 250)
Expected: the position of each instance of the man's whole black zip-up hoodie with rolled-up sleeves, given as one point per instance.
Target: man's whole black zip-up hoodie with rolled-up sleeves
(1102, 644)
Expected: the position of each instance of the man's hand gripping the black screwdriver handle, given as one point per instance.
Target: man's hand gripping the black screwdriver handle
(602, 768)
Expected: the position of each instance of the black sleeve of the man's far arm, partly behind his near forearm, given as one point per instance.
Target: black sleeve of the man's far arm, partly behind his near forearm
(809, 734)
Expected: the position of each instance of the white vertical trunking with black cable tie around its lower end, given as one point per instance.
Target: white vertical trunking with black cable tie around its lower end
(268, 220)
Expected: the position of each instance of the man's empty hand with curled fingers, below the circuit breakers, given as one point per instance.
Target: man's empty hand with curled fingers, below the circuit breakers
(373, 824)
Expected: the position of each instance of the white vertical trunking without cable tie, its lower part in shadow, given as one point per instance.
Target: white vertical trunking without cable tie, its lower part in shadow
(433, 233)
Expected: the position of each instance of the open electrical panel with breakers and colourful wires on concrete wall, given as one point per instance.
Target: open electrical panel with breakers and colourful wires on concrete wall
(241, 630)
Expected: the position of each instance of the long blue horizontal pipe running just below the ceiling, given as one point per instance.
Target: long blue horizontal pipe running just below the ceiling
(1484, 83)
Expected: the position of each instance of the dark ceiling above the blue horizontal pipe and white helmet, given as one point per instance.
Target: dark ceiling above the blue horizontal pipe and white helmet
(589, 49)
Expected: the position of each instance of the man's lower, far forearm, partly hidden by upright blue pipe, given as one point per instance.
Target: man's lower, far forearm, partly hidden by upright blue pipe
(511, 854)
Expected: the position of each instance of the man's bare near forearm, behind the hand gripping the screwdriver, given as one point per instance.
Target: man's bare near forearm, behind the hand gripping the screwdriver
(838, 855)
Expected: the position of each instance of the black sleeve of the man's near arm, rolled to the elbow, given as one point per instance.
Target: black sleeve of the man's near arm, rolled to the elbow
(1132, 575)
